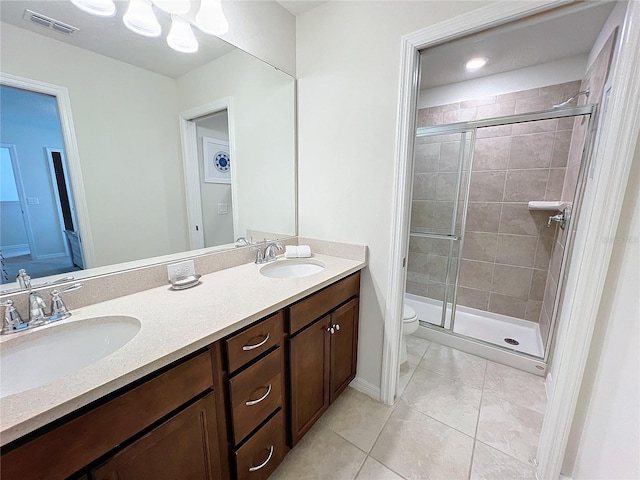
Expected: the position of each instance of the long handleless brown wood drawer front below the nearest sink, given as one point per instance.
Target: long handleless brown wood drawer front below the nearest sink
(69, 447)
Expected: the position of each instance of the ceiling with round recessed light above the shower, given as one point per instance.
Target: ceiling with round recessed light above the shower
(520, 45)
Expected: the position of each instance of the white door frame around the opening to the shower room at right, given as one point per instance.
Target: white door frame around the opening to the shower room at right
(599, 218)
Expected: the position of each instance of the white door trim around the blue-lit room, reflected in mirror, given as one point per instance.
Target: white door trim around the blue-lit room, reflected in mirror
(72, 154)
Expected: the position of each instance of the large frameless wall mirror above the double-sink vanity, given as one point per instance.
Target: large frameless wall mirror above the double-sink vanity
(175, 152)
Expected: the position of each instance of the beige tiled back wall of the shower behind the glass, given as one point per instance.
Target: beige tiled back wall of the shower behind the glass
(507, 247)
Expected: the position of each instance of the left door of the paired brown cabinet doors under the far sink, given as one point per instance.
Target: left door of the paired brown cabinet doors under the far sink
(309, 365)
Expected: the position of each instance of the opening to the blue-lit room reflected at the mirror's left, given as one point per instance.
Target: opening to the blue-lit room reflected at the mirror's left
(33, 145)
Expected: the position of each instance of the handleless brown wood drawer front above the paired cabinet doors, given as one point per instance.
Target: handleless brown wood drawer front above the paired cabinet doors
(313, 307)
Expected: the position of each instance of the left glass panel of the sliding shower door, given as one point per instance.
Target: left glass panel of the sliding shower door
(440, 182)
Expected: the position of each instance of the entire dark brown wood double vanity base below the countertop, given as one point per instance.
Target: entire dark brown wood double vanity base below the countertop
(231, 410)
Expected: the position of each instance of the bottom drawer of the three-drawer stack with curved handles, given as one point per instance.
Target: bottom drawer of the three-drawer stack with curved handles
(259, 457)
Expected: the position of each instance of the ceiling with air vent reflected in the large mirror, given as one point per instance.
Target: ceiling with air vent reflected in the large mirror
(109, 36)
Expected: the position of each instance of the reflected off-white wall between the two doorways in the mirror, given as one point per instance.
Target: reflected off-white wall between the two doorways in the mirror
(128, 139)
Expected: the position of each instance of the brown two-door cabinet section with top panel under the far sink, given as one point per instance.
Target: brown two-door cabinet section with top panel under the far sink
(322, 351)
